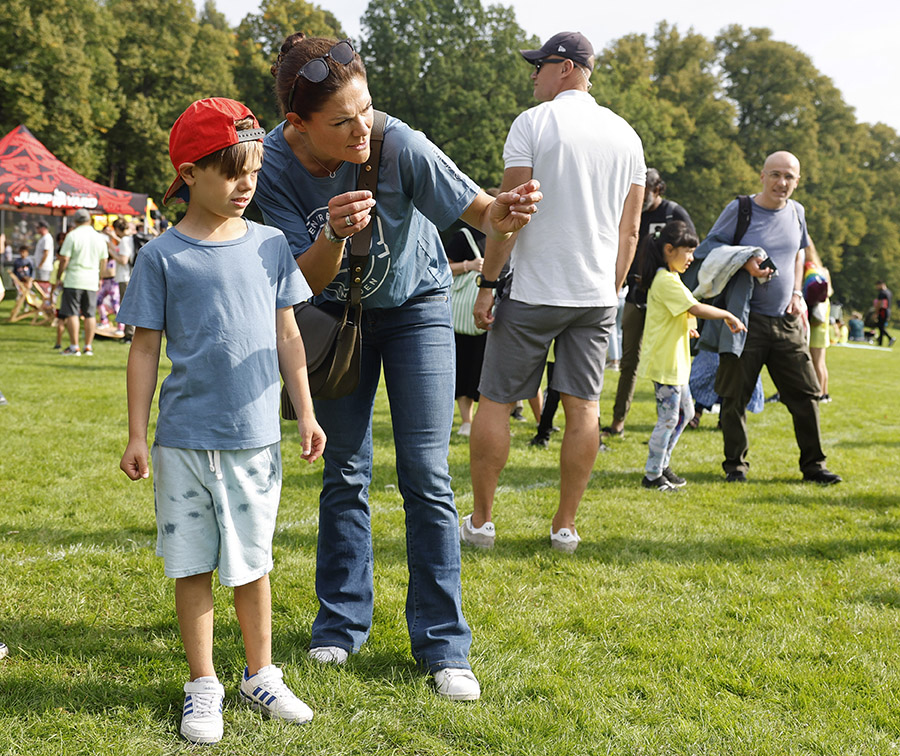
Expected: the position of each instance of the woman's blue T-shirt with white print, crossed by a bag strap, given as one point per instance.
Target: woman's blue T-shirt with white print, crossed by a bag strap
(419, 189)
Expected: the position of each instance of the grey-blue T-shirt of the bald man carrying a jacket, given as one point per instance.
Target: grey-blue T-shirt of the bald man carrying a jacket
(781, 233)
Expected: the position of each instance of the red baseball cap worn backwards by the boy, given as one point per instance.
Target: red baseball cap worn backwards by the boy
(207, 126)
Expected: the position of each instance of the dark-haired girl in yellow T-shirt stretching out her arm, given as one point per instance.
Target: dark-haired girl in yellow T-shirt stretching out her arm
(666, 254)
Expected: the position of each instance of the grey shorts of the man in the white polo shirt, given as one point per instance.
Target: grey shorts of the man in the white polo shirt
(520, 339)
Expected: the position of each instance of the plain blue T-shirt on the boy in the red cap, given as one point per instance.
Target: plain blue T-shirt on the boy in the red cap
(216, 302)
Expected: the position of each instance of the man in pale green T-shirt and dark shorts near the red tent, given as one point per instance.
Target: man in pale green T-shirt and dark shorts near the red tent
(81, 255)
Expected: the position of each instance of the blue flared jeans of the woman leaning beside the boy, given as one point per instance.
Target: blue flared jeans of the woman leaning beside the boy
(414, 345)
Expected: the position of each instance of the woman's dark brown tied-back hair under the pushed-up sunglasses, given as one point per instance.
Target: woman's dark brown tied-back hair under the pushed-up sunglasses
(310, 97)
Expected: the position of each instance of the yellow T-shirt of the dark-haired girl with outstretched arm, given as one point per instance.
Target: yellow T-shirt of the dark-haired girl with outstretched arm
(666, 354)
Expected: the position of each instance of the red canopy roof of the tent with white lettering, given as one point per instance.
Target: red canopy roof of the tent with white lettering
(34, 180)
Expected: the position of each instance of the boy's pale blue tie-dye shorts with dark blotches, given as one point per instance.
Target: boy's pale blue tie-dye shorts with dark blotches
(216, 509)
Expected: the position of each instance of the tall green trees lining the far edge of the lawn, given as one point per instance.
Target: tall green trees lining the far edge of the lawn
(100, 83)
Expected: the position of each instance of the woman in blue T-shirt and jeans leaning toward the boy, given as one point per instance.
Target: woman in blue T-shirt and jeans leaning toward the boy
(307, 188)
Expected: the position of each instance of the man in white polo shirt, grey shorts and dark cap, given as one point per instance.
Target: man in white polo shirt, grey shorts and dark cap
(567, 267)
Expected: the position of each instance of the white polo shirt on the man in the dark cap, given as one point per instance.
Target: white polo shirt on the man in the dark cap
(586, 158)
